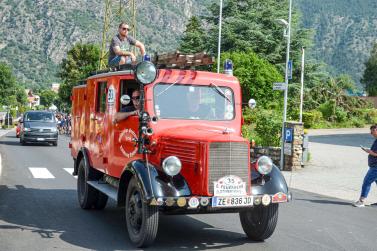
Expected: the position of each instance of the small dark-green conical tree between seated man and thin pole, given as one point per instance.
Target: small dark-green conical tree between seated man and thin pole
(193, 39)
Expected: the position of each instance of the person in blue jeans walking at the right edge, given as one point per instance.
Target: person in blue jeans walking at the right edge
(371, 175)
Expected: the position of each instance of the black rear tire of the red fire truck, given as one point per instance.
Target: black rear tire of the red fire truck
(87, 195)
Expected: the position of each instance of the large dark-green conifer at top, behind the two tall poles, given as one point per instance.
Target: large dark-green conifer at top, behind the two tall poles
(251, 25)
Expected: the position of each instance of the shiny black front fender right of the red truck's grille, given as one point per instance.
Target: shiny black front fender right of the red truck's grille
(273, 183)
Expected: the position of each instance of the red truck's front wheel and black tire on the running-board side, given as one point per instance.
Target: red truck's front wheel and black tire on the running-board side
(141, 218)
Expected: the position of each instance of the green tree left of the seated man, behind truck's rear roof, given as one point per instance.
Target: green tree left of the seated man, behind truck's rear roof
(80, 61)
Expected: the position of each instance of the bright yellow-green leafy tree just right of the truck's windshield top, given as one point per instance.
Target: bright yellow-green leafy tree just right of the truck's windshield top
(256, 76)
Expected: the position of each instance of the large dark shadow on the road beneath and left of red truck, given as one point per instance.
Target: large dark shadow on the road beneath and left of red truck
(55, 214)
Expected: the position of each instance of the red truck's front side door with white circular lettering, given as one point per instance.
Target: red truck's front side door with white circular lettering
(125, 132)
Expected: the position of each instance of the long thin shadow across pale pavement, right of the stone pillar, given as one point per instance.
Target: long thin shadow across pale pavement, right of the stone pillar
(355, 140)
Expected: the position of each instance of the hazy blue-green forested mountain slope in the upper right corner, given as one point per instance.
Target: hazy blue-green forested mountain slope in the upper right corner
(345, 31)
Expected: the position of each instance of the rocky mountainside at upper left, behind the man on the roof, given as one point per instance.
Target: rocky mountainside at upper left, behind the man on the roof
(35, 35)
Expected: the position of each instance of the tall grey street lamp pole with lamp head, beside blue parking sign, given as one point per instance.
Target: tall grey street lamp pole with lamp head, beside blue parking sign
(287, 34)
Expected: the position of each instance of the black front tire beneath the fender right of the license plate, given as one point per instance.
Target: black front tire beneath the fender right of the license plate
(259, 223)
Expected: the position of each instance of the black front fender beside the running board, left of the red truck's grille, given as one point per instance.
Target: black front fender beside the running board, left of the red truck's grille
(158, 186)
